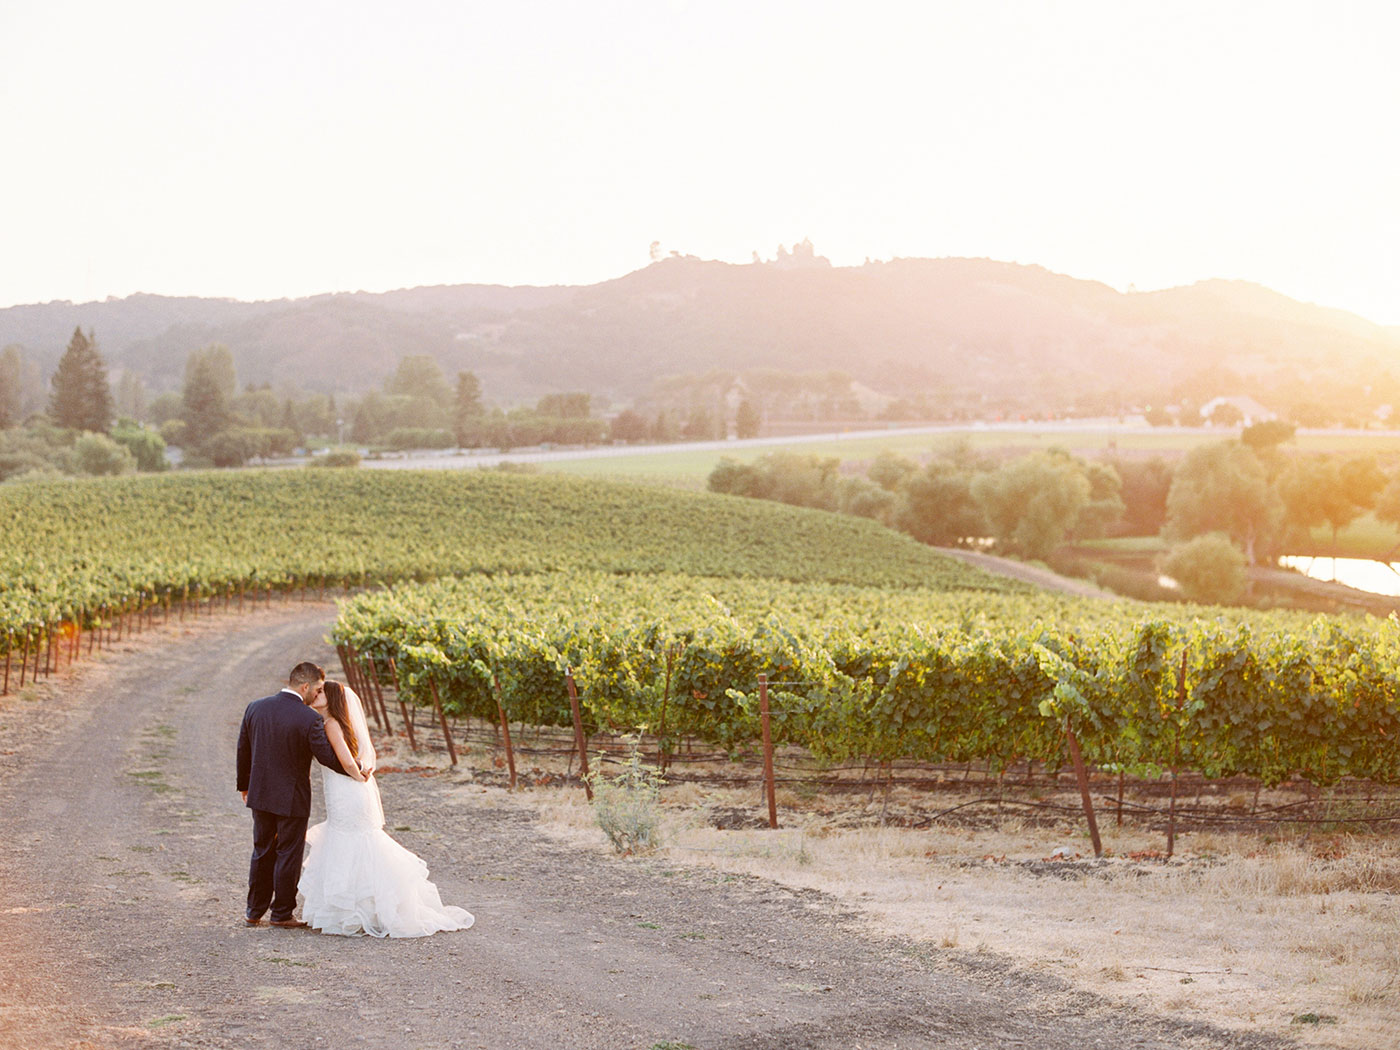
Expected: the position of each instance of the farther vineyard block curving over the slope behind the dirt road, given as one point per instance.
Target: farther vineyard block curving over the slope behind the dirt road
(85, 555)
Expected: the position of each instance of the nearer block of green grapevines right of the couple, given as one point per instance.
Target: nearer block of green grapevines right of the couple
(874, 674)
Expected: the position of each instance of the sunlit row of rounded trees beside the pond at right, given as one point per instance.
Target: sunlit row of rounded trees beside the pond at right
(1224, 506)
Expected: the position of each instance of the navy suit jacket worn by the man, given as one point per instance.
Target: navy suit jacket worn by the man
(276, 743)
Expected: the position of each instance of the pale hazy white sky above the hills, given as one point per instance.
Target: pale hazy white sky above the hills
(260, 150)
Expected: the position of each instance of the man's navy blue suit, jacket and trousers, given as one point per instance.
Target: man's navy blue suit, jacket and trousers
(276, 743)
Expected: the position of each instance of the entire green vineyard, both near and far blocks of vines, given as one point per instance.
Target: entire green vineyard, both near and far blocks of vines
(664, 608)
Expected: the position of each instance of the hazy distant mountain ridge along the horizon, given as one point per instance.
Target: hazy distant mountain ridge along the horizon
(965, 328)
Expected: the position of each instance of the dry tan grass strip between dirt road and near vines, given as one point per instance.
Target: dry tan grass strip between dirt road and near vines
(1235, 930)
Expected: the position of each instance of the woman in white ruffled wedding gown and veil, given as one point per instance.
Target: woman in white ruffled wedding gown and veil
(356, 878)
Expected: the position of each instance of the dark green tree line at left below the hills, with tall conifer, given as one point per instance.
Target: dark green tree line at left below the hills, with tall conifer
(85, 423)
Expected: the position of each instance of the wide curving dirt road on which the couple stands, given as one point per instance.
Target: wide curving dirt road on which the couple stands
(124, 856)
